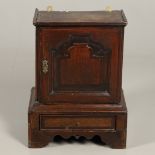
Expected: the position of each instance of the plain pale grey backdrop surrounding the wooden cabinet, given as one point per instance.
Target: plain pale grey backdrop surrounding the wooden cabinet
(17, 57)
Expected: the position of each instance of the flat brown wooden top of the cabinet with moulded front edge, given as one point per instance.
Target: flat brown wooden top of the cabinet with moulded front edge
(79, 18)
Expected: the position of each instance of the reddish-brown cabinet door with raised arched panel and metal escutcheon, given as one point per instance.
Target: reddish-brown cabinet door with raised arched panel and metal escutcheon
(79, 64)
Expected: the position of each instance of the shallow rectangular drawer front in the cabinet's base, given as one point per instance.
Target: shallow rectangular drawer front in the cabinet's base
(76, 122)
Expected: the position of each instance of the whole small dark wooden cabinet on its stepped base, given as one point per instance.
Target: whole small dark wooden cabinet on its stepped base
(78, 89)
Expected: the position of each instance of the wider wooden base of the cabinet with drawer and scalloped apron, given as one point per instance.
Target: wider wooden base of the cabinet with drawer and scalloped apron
(108, 121)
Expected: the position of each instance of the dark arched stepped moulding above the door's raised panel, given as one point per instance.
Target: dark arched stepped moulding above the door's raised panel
(98, 49)
